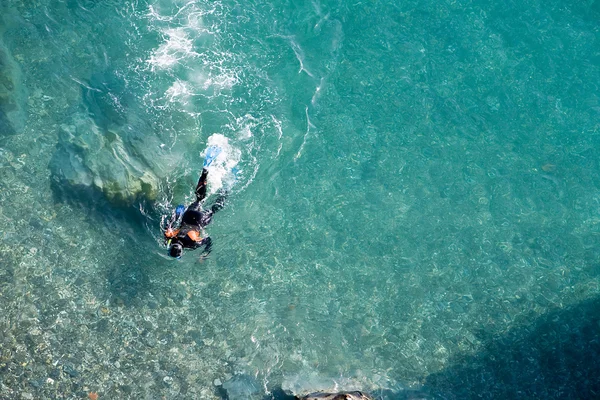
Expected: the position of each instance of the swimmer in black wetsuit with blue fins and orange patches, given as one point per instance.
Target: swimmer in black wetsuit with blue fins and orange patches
(190, 233)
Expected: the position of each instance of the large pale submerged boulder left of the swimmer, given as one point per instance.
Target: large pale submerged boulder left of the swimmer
(118, 163)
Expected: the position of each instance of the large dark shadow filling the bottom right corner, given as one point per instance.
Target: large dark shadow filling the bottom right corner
(555, 357)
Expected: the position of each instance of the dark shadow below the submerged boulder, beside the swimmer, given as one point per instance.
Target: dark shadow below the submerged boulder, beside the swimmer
(133, 263)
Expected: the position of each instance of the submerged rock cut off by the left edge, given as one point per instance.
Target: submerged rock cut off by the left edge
(13, 95)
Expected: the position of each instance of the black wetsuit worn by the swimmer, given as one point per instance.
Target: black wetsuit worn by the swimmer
(194, 219)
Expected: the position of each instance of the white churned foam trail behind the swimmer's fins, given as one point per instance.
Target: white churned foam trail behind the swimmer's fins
(197, 72)
